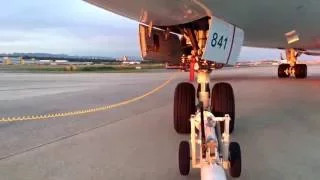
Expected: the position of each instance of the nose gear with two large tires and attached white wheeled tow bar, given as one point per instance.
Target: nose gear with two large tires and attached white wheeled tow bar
(210, 126)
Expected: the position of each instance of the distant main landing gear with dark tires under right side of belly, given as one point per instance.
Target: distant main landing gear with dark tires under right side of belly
(292, 68)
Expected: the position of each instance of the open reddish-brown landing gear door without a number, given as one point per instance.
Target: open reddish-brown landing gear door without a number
(159, 46)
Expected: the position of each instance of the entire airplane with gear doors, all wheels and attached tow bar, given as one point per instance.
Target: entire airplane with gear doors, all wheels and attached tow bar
(214, 31)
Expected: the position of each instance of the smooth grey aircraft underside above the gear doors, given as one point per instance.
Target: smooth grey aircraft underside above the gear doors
(264, 22)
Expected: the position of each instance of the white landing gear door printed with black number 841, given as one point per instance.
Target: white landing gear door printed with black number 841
(224, 42)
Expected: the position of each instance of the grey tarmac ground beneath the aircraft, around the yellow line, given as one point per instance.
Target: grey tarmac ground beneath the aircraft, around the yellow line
(277, 126)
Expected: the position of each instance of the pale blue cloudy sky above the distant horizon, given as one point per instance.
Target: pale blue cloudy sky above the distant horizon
(75, 27)
